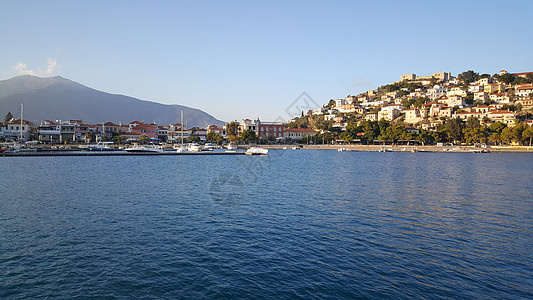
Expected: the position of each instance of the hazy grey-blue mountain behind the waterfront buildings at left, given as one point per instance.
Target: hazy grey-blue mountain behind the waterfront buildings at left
(57, 98)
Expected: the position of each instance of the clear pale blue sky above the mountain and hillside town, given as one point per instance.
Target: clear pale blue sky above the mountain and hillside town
(248, 59)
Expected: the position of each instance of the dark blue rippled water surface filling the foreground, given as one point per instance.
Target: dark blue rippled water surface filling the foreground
(313, 224)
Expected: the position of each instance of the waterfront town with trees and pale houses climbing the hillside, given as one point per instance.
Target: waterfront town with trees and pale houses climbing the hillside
(471, 108)
